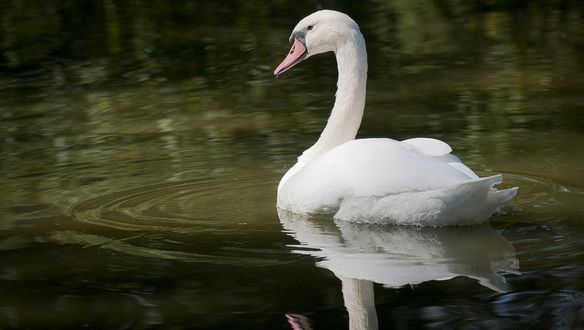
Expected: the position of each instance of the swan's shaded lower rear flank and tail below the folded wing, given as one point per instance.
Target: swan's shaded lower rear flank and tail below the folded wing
(468, 203)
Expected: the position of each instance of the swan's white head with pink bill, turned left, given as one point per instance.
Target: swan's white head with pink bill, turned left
(319, 32)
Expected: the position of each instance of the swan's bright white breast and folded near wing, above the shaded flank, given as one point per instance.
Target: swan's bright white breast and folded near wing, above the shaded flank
(364, 167)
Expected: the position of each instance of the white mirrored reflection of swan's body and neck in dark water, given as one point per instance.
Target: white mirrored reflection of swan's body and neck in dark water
(360, 255)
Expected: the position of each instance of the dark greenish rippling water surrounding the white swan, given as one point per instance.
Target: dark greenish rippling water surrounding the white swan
(142, 145)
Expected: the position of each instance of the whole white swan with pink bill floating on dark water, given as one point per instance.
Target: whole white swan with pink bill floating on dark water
(416, 181)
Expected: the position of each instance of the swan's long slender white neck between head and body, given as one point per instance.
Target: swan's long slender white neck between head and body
(346, 115)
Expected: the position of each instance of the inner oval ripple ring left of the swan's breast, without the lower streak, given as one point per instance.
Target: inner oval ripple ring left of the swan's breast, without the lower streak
(176, 207)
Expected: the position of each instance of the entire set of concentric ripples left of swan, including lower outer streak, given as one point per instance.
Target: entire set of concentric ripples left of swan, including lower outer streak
(210, 220)
